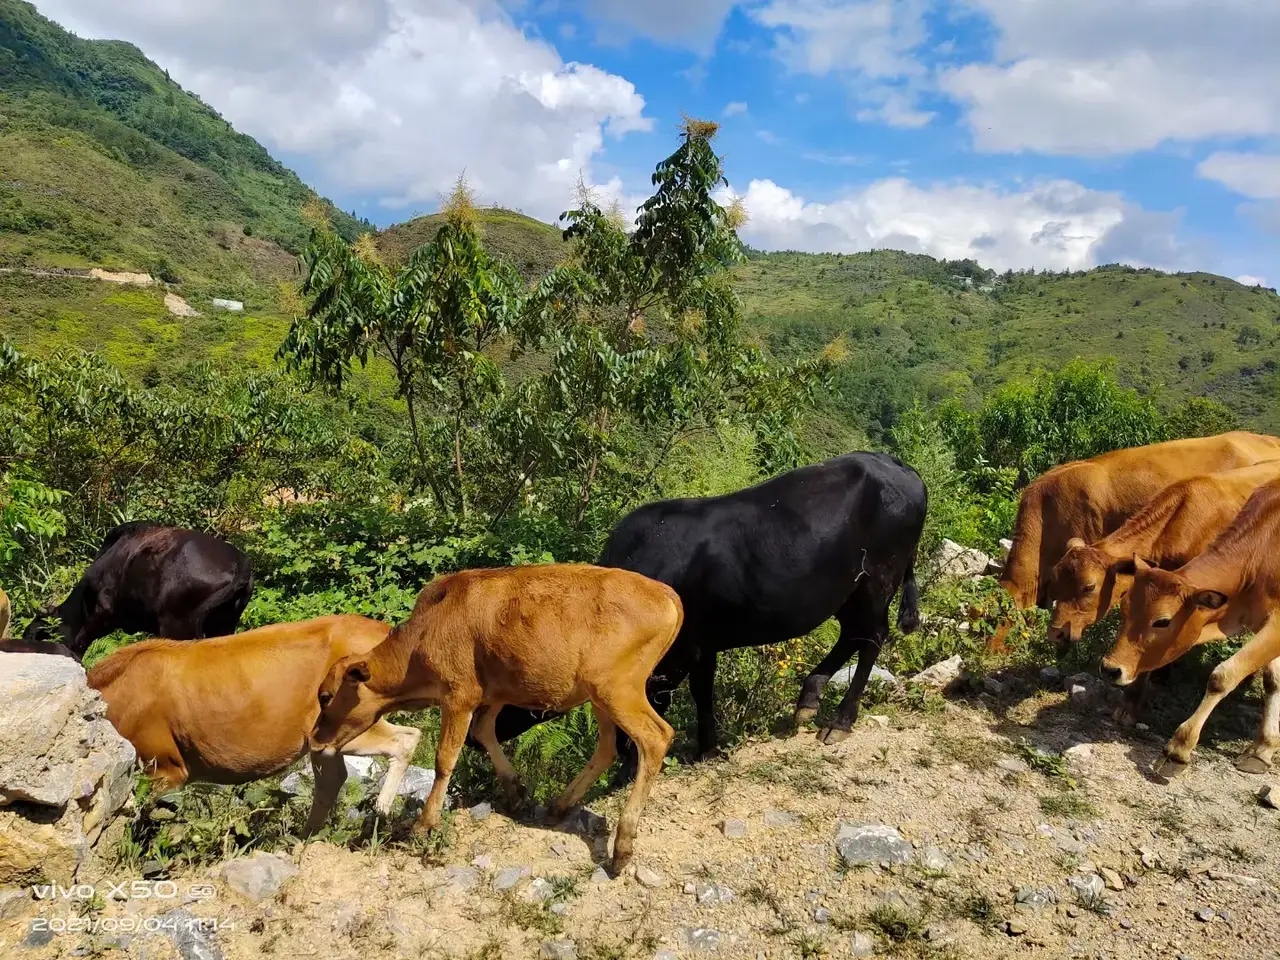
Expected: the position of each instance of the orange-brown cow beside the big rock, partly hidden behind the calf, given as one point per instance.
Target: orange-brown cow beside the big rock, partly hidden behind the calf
(239, 708)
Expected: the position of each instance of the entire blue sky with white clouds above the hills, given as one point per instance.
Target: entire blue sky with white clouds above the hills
(1021, 132)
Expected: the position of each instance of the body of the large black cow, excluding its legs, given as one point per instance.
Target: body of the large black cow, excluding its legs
(778, 559)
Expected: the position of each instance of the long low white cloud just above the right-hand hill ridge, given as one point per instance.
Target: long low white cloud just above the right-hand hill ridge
(1055, 225)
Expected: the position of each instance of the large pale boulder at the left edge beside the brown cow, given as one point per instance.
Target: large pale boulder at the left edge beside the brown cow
(57, 752)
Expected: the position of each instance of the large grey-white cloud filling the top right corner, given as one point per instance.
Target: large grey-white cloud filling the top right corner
(1094, 77)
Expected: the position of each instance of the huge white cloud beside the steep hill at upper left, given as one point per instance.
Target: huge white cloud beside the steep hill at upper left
(387, 98)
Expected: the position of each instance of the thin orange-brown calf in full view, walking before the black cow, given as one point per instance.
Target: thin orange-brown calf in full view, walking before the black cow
(546, 638)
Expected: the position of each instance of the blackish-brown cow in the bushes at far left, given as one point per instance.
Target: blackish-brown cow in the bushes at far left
(153, 579)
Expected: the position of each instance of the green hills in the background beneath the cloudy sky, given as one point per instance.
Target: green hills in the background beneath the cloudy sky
(108, 163)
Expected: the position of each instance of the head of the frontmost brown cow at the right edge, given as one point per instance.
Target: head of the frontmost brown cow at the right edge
(1164, 618)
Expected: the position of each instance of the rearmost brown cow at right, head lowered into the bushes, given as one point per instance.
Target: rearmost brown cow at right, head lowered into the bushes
(1091, 499)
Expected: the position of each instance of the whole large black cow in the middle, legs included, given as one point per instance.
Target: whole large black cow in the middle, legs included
(771, 564)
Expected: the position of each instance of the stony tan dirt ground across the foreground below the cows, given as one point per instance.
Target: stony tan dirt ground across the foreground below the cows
(740, 860)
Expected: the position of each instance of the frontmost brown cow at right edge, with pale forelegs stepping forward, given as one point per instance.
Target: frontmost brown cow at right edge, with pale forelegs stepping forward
(1233, 587)
